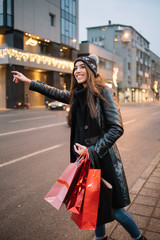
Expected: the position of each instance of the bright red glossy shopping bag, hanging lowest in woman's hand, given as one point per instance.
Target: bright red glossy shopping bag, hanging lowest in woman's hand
(87, 219)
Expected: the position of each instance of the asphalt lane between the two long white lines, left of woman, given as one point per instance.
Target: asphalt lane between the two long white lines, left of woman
(20, 144)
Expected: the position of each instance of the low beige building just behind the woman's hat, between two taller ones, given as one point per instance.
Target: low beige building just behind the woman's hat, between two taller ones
(107, 62)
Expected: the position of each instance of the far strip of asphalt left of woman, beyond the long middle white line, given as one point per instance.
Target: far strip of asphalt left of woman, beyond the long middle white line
(31, 119)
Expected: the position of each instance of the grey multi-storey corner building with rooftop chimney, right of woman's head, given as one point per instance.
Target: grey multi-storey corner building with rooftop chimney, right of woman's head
(126, 42)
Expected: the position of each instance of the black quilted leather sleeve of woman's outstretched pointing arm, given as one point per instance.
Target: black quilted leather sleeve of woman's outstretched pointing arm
(51, 92)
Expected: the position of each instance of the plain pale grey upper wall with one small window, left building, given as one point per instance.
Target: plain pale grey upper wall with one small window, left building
(32, 16)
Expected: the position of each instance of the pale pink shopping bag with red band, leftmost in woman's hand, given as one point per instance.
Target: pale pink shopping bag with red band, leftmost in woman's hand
(57, 194)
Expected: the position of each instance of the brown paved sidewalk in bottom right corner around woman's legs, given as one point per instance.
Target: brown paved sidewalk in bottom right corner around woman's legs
(145, 206)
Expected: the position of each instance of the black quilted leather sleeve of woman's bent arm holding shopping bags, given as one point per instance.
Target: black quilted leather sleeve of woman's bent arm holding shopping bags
(112, 122)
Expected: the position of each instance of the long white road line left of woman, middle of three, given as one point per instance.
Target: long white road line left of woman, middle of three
(32, 129)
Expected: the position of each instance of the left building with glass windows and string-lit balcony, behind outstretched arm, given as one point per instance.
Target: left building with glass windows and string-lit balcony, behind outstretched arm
(40, 39)
